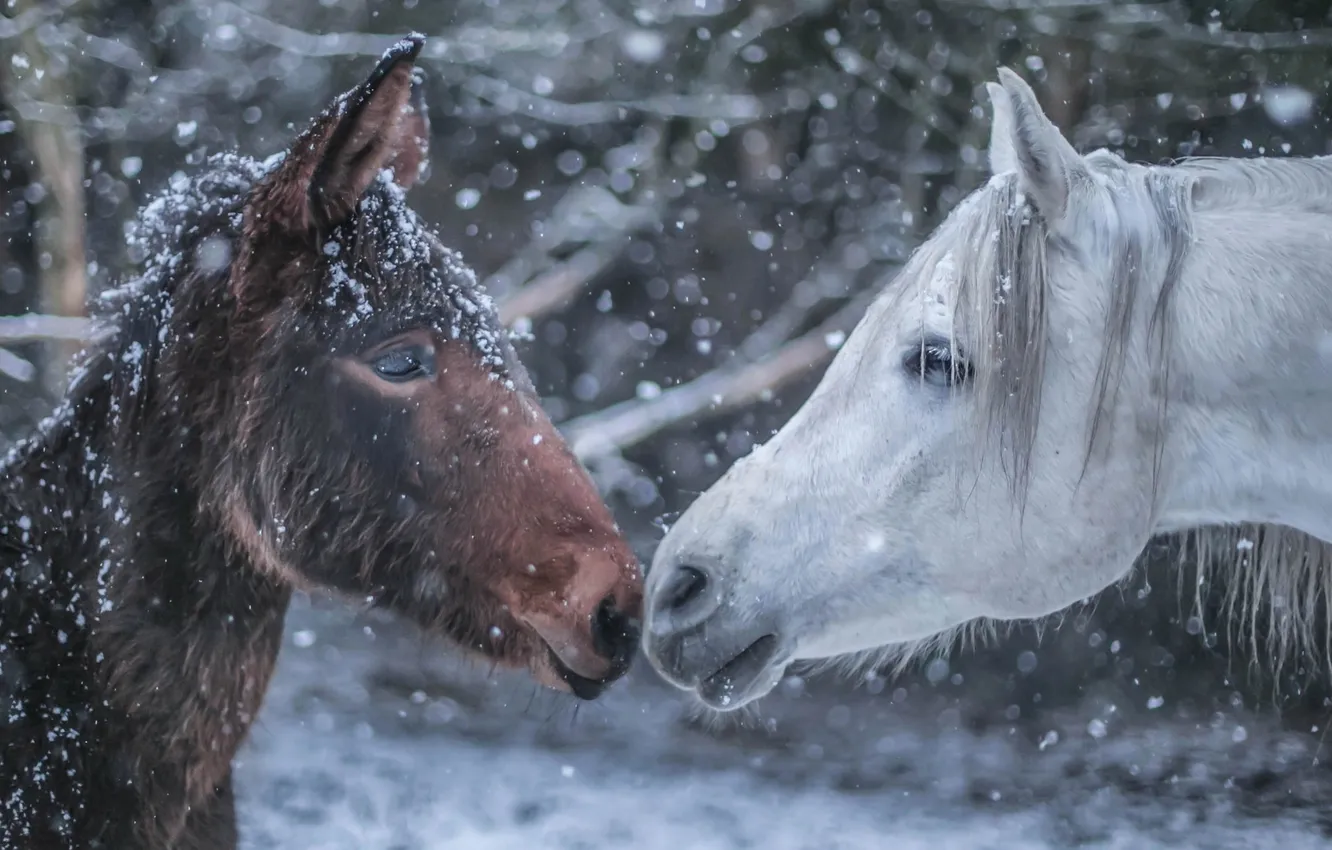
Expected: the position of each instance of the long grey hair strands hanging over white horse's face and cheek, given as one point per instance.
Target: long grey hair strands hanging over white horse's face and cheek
(1000, 250)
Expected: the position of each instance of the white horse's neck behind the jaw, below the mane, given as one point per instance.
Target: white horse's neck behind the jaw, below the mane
(1249, 407)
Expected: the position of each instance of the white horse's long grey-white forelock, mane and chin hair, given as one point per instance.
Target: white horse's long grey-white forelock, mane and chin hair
(1004, 296)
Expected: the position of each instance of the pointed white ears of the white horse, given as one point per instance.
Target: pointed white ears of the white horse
(1048, 166)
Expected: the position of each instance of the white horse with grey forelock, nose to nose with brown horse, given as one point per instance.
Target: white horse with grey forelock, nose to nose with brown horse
(1085, 355)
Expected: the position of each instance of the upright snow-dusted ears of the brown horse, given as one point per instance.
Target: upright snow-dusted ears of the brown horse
(382, 123)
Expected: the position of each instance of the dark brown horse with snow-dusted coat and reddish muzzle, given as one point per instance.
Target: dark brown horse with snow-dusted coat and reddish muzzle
(302, 388)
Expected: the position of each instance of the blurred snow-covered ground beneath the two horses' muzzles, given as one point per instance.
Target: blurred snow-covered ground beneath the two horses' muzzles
(375, 740)
